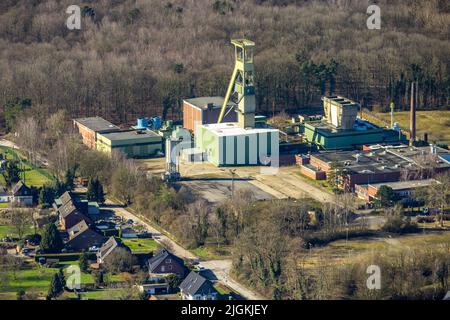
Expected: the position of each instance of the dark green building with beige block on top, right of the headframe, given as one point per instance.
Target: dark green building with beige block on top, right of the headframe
(342, 130)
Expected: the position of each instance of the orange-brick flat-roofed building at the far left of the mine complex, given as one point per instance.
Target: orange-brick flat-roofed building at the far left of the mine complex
(90, 127)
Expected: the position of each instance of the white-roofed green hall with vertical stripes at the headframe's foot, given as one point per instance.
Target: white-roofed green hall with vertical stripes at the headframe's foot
(227, 144)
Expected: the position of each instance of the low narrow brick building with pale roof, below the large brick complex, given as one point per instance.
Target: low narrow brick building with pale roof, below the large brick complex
(402, 189)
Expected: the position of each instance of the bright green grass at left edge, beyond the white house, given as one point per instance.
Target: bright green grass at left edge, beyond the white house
(33, 176)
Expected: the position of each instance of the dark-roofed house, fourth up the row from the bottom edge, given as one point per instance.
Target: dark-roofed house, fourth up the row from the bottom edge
(81, 237)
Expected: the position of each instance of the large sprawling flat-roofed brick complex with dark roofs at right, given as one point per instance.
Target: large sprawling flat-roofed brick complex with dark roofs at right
(386, 164)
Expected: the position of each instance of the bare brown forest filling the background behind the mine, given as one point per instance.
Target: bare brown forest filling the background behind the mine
(142, 57)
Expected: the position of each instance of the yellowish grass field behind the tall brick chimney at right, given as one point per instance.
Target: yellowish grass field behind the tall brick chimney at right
(435, 123)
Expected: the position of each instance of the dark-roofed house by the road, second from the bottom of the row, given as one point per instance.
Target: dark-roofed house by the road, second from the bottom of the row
(165, 263)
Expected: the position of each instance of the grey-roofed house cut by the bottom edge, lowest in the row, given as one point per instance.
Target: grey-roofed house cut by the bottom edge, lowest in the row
(196, 287)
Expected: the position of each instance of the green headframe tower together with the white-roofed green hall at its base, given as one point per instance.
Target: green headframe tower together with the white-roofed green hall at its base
(225, 143)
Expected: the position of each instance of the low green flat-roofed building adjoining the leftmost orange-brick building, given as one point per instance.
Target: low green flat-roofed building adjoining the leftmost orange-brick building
(133, 143)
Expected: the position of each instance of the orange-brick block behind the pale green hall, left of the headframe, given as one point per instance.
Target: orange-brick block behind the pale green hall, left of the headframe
(205, 110)
